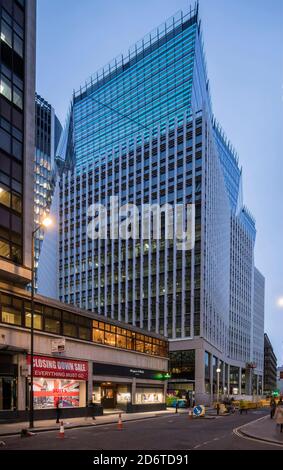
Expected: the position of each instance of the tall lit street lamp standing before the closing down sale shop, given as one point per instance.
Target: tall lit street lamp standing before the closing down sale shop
(46, 222)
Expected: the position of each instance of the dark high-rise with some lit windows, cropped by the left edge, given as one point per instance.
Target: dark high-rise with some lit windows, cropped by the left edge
(17, 62)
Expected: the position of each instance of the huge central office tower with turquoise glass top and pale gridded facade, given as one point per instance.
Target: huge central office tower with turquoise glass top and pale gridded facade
(143, 130)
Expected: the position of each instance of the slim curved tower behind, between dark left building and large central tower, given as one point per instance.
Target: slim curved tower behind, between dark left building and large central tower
(47, 135)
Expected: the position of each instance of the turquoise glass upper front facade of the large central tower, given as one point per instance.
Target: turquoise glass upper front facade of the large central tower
(151, 84)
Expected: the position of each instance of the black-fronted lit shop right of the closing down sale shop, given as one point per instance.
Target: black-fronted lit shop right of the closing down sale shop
(127, 387)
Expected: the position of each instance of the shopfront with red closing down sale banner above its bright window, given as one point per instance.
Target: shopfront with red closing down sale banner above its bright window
(59, 382)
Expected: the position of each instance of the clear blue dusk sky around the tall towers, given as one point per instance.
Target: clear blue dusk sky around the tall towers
(244, 49)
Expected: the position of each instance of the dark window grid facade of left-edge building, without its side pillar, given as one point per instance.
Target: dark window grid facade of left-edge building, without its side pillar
(12, 81)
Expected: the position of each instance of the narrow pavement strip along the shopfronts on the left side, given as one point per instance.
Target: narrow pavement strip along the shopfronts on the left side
(11, 429)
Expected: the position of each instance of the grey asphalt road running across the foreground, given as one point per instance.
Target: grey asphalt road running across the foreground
(174, 432)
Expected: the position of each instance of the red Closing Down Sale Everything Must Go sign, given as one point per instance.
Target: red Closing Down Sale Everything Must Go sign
(53, 367)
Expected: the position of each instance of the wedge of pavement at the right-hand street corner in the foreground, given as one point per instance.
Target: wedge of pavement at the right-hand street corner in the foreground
(263, 429)
